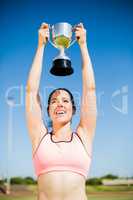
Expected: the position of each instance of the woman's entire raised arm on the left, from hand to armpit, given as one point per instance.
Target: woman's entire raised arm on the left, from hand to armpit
(34, 119)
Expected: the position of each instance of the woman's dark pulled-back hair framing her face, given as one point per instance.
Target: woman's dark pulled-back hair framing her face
(71, 98)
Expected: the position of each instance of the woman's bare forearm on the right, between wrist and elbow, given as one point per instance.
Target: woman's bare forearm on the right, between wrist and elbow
(87, 69)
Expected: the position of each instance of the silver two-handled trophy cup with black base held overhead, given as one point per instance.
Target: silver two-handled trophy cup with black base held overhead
(61, 39)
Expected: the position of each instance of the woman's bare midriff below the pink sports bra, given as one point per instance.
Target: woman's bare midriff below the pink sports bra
(61, 185)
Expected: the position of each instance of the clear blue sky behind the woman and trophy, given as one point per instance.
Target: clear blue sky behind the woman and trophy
(109, 26)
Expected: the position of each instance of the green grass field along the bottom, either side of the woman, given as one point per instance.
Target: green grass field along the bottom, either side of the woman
(93, 193)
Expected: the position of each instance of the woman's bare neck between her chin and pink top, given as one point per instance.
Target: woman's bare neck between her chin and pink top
(61, 130)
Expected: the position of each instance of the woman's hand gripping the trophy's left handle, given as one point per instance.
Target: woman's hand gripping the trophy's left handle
(43, 34)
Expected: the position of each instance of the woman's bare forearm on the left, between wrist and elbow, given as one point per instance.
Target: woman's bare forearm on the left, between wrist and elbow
(36, 69)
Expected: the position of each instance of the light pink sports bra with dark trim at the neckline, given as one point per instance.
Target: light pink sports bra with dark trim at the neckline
(70, 155)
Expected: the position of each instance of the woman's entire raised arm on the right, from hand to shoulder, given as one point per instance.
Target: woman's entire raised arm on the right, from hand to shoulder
(88, 114)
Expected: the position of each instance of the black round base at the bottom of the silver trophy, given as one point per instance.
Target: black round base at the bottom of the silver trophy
(61, 67)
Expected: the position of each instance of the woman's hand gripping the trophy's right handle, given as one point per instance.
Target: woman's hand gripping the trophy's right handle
(80, 33)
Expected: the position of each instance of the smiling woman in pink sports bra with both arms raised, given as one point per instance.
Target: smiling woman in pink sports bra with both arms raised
(61, 158)
